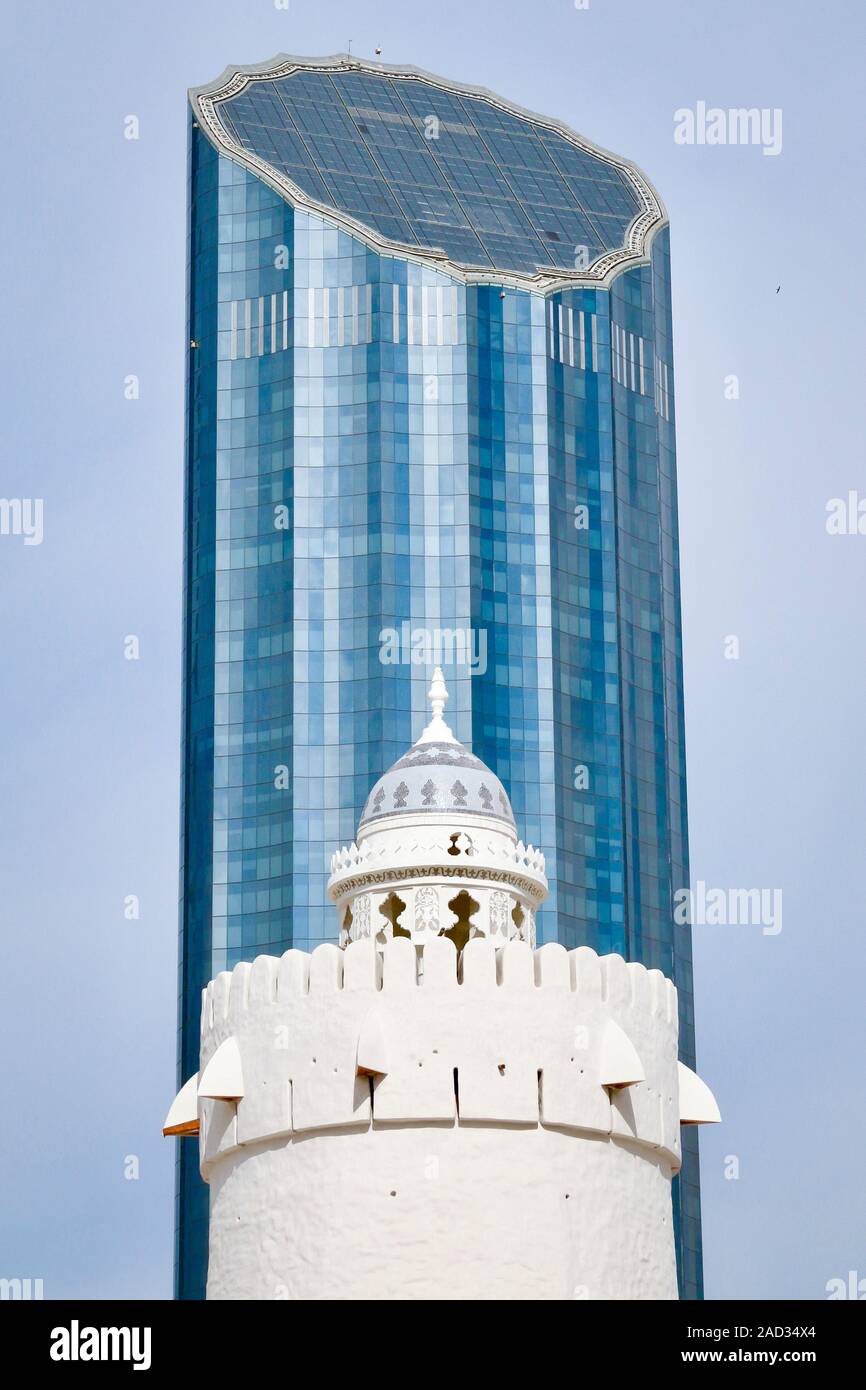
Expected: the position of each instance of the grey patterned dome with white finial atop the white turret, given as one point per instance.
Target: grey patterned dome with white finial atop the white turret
(439, 775)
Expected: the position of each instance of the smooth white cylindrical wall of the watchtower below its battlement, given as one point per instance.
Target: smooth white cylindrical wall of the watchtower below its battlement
(476, 1214)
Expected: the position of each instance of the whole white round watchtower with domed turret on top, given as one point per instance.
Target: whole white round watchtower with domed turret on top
(436, 1110)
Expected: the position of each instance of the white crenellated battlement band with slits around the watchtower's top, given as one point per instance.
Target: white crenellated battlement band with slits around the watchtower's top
(404, 1035)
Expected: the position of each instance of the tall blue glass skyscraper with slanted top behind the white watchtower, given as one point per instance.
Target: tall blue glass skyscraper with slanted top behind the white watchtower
(430, 422)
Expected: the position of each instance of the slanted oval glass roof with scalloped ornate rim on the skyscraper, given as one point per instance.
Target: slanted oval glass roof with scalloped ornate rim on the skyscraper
(432, 169)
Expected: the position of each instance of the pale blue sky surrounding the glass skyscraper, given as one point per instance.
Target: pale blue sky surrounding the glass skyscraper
(94, 251)
